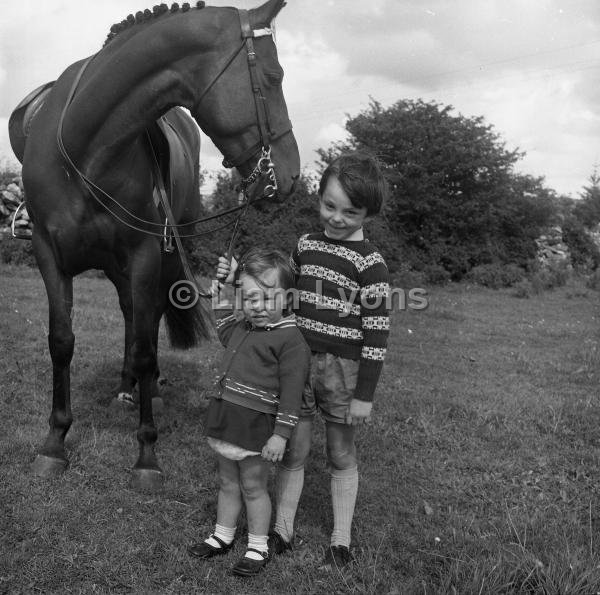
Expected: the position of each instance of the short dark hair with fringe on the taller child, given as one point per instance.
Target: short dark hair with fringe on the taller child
(360, 175)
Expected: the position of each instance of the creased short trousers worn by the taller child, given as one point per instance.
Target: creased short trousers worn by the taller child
(330, 387)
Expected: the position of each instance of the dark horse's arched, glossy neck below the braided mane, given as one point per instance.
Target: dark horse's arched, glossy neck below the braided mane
(127, 87)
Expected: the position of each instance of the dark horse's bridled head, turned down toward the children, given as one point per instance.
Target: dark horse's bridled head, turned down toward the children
(241, 104)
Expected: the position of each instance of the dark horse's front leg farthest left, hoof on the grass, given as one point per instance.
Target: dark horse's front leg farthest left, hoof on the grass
(51, 459)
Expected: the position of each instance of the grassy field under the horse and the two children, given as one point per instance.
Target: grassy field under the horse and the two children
(479, 471)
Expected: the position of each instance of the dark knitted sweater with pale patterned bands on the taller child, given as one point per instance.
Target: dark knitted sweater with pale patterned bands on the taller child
(343, 303)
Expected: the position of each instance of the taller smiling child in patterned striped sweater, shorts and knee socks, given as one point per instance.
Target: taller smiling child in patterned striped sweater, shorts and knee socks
(342, 311)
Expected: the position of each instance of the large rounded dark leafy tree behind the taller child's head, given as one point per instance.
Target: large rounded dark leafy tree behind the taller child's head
(456, 200)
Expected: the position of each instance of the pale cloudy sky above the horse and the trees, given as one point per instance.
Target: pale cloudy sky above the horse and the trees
(530, 68)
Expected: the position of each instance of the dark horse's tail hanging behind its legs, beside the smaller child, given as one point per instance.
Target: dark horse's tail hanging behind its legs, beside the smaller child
(186, 326)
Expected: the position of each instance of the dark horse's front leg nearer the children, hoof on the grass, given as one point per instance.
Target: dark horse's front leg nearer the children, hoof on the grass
(145, 274)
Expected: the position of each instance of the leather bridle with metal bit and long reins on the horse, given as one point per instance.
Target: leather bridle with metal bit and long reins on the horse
(264, 168)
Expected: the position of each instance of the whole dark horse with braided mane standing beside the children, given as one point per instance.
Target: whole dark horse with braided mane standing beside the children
(89, 183)
